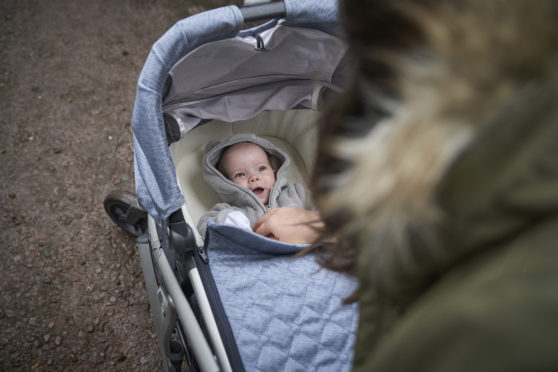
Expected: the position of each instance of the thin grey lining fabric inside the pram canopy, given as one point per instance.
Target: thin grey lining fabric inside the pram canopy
(252, 81)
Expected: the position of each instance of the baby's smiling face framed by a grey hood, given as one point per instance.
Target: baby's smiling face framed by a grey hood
(247, 165)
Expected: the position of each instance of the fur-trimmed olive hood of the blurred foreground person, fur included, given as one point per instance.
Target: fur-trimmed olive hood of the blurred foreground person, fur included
(452, 167)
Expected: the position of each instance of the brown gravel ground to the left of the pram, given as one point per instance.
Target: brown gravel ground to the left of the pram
(72, 294)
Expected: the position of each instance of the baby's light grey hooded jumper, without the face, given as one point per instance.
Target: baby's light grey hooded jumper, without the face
(237, 198)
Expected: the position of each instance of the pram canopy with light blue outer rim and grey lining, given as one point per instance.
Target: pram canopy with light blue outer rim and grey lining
(213, 84)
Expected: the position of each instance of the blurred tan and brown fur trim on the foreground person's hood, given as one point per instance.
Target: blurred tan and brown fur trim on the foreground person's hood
(474, 55)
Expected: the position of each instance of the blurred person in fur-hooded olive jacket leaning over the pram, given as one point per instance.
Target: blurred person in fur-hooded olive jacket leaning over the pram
(437, 174)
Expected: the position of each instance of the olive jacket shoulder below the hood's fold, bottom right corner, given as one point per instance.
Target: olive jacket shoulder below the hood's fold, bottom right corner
(493, 312)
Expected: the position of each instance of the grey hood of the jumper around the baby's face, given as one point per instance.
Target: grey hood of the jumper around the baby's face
(228, 191)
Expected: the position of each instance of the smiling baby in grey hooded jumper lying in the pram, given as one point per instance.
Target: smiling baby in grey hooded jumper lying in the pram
(249, 174)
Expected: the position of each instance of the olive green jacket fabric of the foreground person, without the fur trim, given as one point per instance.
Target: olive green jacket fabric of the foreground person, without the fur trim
(493, 305)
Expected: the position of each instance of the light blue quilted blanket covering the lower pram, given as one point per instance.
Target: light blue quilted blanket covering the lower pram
(286, 313)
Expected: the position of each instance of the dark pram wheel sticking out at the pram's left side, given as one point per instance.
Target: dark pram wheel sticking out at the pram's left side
(124, 209)
